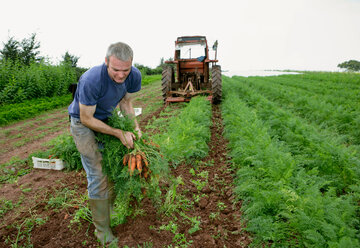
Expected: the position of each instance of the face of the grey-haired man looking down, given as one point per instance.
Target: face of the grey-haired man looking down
(118, 70)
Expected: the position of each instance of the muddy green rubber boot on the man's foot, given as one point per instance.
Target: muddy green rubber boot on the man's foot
(100, 211)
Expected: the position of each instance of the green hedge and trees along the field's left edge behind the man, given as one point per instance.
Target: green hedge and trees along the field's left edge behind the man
(25, 74)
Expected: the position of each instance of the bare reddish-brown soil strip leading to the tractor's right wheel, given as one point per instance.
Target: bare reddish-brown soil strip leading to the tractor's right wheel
(226, 229)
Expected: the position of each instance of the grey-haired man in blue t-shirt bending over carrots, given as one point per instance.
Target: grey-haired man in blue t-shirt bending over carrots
(100, 90)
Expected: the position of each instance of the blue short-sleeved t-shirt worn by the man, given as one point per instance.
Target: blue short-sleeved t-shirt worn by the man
(95, 87)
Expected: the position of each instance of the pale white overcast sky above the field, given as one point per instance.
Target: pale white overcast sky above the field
(252, 34)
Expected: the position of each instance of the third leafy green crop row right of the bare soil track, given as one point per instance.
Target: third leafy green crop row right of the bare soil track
(343, 117)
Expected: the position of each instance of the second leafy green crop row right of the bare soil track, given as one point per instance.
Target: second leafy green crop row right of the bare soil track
(315, 148)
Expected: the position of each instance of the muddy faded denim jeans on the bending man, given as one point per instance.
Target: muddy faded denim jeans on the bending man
(84, 137)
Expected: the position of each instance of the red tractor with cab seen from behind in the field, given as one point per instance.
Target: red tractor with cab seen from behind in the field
(193, 77)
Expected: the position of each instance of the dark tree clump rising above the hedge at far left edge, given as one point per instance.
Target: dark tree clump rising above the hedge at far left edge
(25, 51)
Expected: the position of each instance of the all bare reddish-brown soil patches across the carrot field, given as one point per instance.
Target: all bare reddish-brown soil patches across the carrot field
(31, 193)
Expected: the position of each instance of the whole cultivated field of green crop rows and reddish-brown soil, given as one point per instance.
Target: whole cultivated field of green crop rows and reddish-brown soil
(275, 164)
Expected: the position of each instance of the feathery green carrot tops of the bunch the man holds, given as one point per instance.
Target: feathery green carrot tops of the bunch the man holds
(129, 187)
